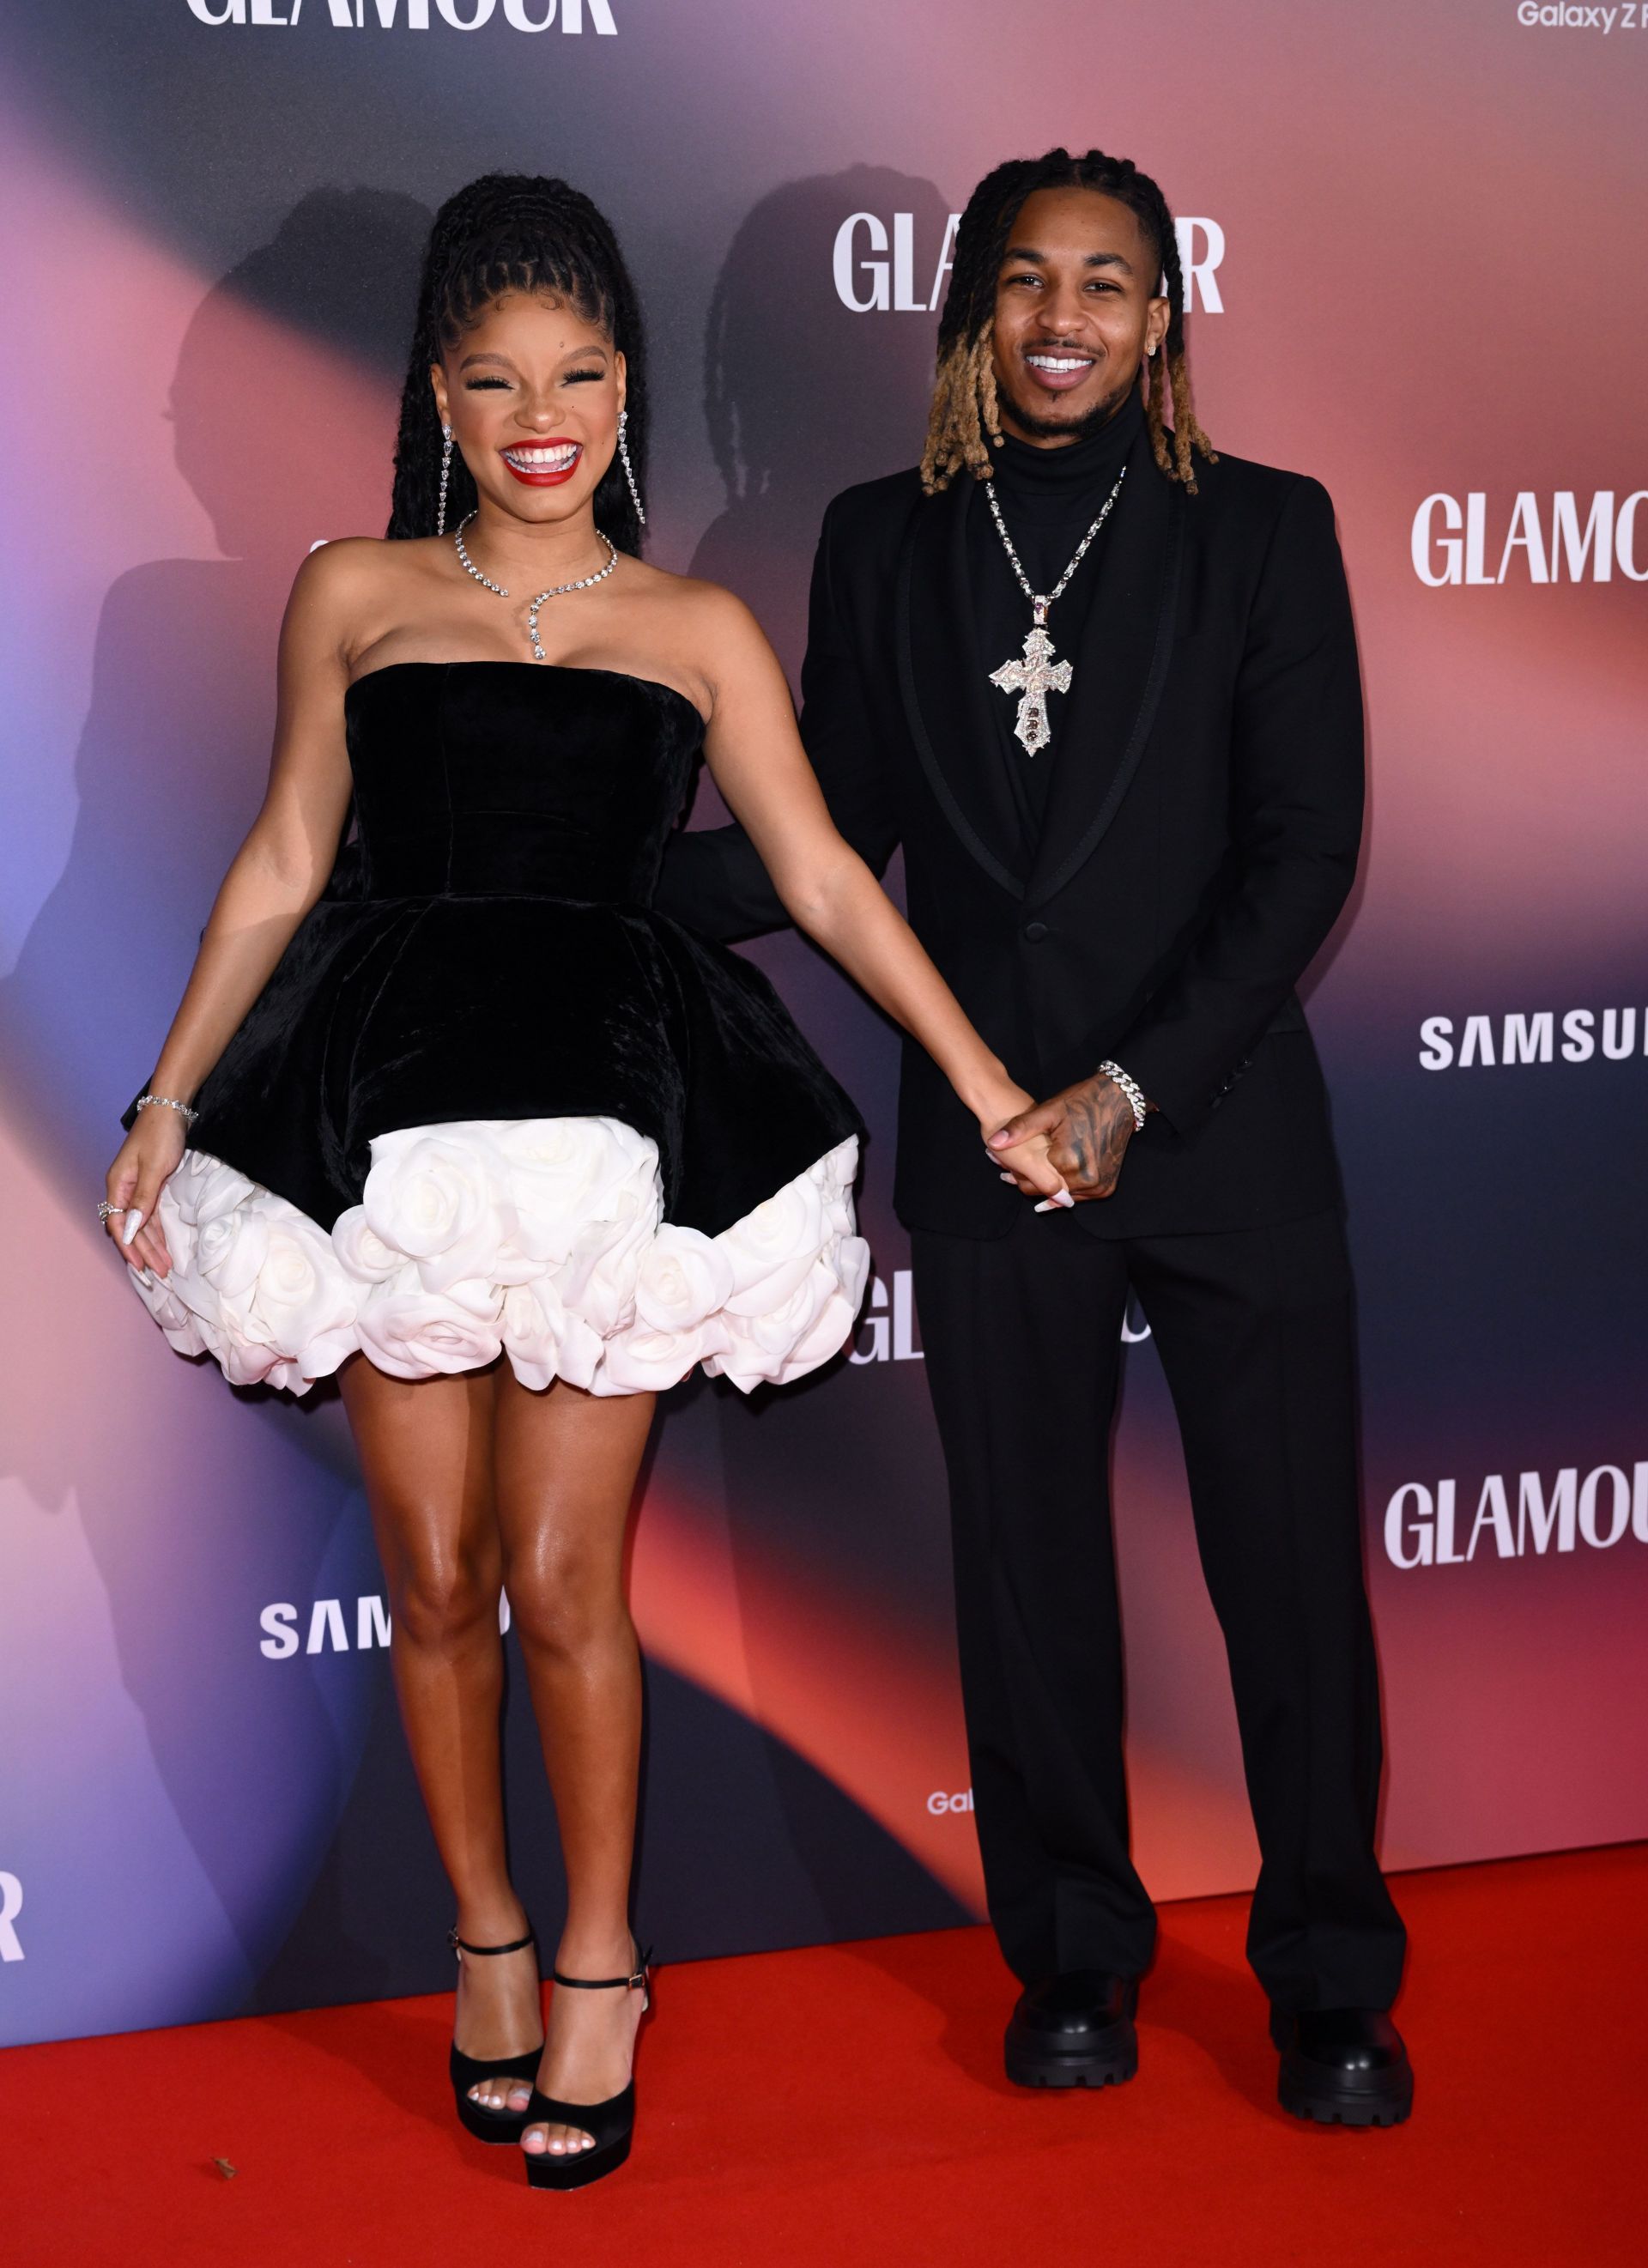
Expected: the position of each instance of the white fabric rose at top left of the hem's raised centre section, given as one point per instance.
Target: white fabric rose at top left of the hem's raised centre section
(443, 1199)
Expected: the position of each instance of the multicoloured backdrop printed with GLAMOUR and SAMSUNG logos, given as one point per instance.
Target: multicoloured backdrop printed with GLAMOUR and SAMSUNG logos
(1416, 255)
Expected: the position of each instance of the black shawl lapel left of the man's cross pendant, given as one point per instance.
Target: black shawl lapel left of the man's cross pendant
(944, 682)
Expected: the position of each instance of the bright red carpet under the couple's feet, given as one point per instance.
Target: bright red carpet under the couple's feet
(847, 2106)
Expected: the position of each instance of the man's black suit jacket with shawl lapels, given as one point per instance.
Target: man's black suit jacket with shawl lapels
(1200, 838)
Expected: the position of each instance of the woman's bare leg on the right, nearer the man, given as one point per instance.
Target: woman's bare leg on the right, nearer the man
(566, 1471)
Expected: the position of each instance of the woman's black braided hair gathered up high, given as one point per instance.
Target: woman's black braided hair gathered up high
(516, 232)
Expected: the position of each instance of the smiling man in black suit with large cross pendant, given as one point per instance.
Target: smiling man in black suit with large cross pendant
(1103, 686)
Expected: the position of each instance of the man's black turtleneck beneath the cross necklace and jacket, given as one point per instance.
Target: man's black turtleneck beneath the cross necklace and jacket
(1048, 502)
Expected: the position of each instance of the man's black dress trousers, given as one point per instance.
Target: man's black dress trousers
(1023, 1344)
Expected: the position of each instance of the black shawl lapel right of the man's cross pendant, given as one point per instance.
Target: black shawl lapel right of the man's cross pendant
(1121, 668)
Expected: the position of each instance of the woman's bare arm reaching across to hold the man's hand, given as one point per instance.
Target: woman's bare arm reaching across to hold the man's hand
(767, 784)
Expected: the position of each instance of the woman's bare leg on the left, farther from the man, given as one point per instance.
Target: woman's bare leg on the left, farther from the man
(427, 1459)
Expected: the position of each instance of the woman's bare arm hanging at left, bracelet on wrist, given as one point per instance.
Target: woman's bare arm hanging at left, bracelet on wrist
(273, 881)
